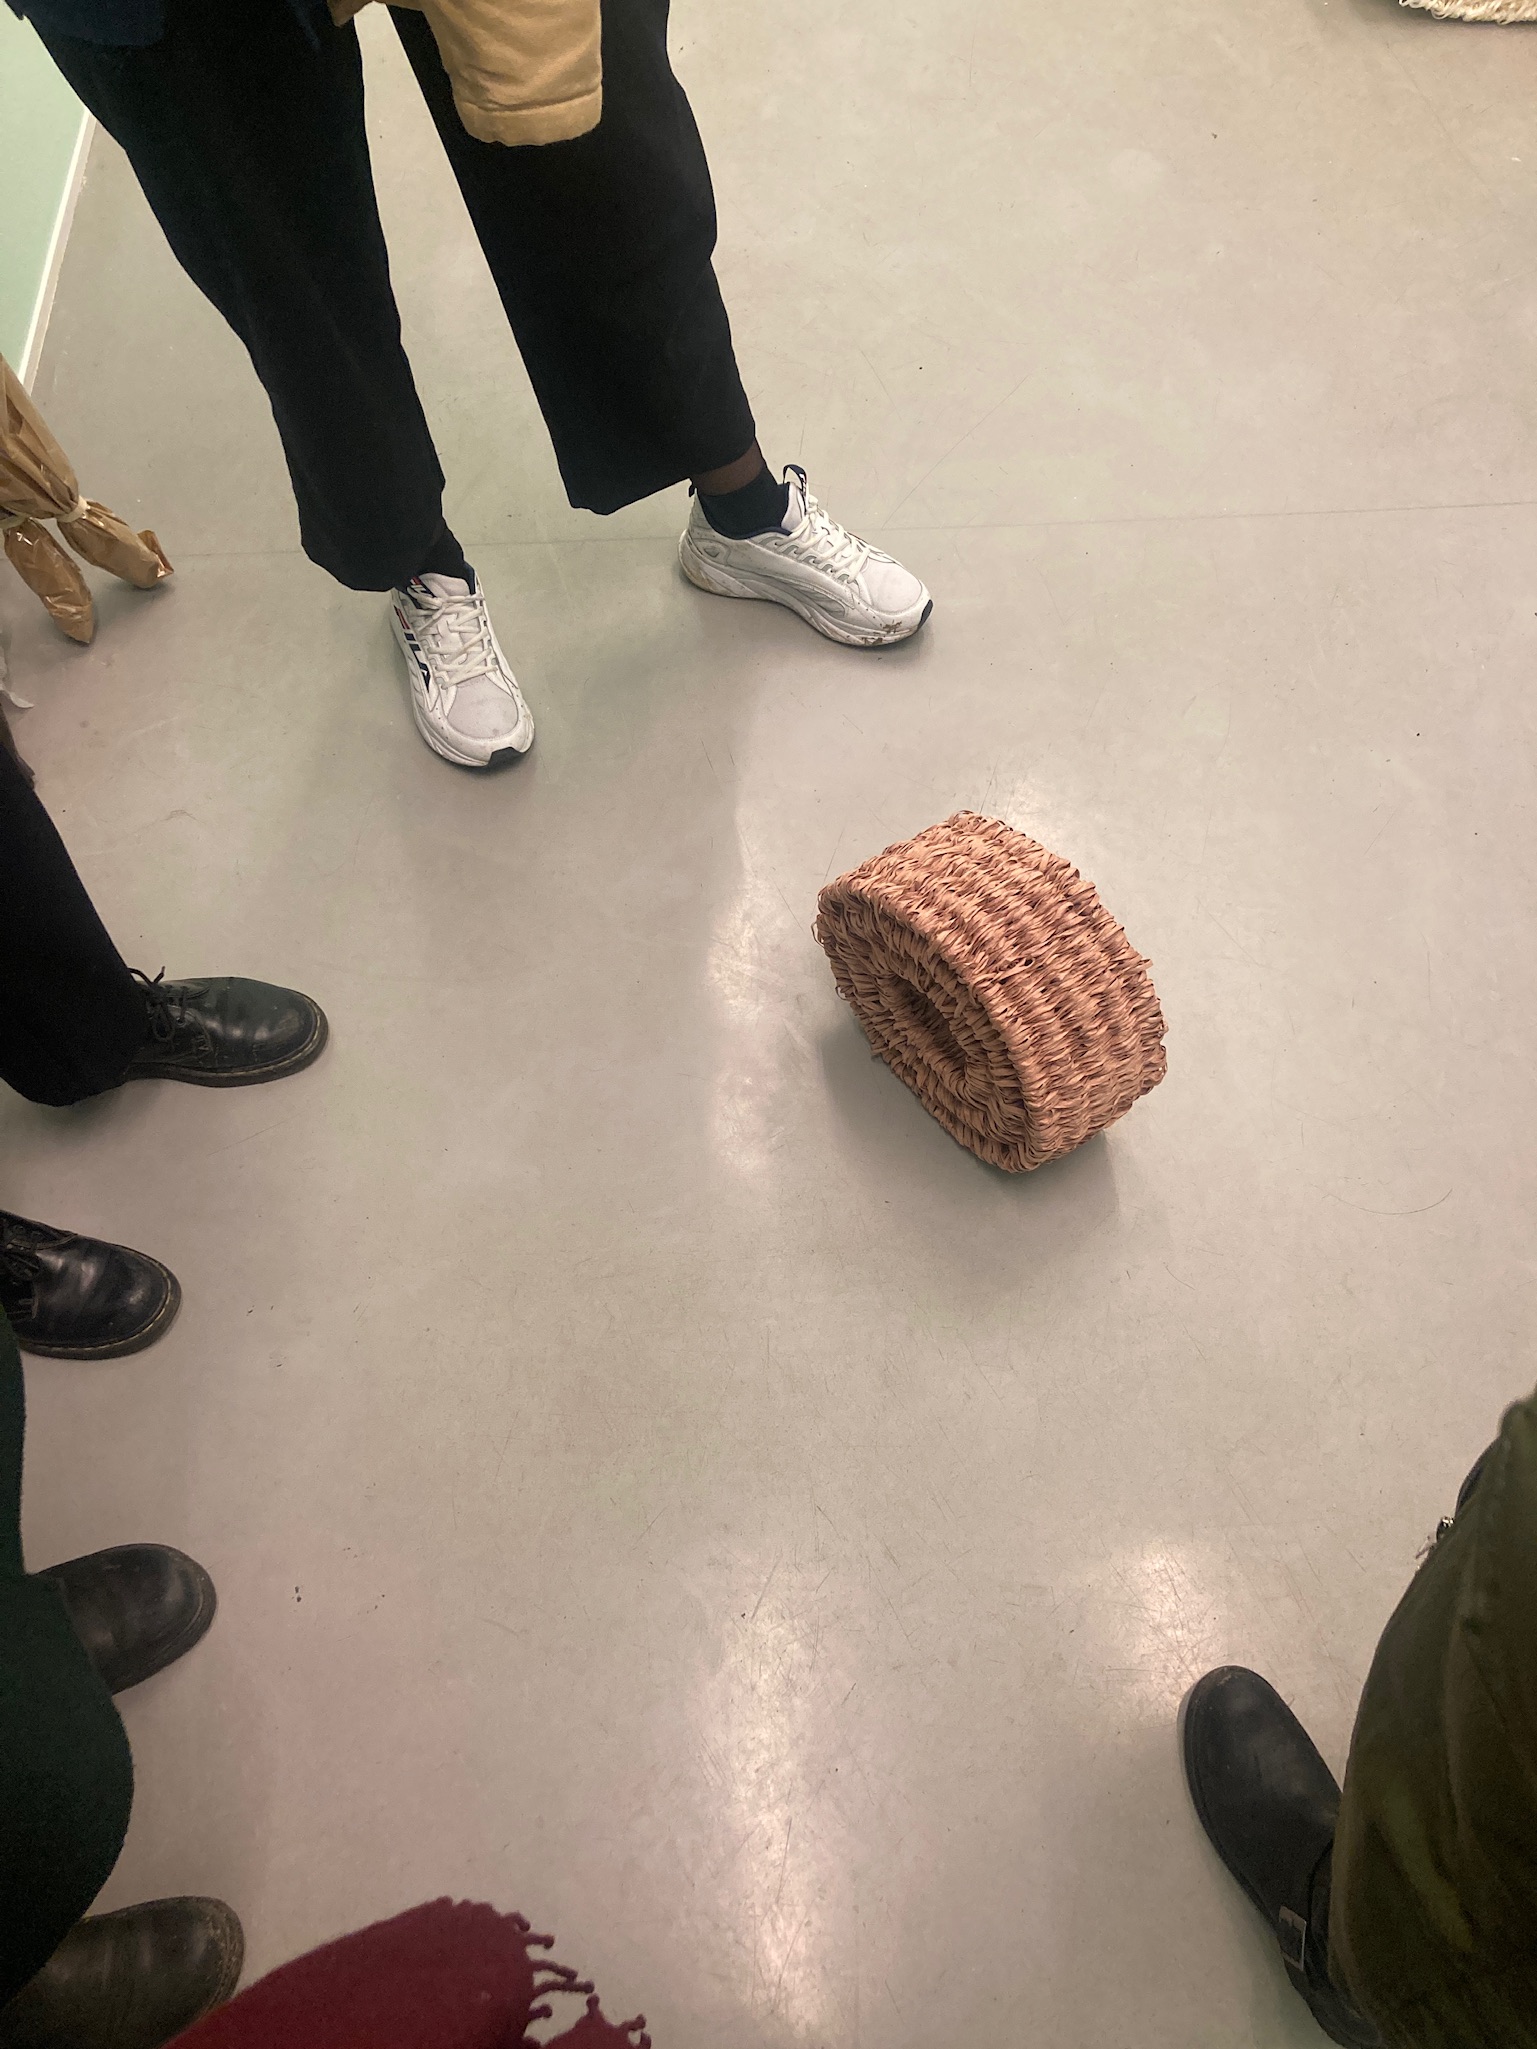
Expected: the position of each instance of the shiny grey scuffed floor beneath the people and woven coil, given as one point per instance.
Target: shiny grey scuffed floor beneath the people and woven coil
(653, 1476)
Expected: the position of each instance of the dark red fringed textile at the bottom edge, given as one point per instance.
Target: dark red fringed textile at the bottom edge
(442, 1976)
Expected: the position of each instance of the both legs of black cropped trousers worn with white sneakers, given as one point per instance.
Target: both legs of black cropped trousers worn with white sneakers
(247, 136)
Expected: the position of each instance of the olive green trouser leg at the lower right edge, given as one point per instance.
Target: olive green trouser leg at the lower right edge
(1436, 1862)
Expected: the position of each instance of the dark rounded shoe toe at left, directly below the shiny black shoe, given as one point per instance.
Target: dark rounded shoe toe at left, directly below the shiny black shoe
(136, 1607)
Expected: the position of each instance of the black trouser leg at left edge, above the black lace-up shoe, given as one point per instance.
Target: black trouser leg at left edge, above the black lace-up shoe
(71, 1013)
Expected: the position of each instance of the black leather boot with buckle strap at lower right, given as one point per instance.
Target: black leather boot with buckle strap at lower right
(1270, 1806)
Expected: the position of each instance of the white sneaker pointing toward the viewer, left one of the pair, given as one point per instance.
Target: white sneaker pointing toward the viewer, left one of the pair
(466, 700)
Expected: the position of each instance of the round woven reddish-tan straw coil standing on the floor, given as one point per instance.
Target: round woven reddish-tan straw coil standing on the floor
(993, 980)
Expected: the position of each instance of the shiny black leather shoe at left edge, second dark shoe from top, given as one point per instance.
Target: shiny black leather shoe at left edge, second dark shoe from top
(81, 1298)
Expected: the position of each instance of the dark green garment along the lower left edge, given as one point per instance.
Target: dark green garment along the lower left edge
(67, 1780)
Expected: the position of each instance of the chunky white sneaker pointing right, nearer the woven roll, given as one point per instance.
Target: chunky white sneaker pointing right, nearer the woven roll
(829, 577)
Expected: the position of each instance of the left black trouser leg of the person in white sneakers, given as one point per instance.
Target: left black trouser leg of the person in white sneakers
(249, 142)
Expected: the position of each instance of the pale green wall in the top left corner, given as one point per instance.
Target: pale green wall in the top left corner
(40, 122)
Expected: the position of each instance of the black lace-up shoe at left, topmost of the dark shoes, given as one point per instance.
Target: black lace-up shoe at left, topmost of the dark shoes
(226, 1032)
